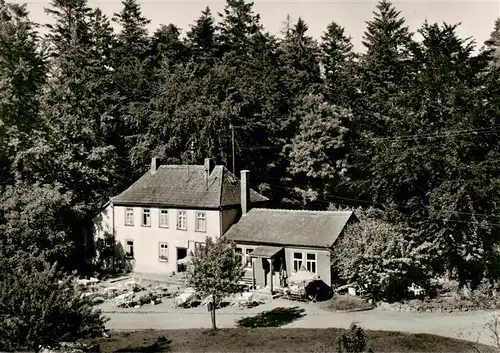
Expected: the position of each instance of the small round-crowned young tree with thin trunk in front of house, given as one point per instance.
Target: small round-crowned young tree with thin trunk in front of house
(215, 270)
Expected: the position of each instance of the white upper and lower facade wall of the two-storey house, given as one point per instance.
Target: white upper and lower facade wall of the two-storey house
(147, 240)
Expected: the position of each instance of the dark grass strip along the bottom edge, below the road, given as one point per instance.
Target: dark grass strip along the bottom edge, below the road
(273, 339)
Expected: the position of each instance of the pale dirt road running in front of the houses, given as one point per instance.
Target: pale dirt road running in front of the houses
(465, 325)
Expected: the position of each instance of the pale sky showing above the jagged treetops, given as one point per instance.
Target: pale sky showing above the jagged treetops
(477, 16)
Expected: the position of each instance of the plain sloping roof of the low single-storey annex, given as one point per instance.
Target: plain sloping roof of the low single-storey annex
(290, 227)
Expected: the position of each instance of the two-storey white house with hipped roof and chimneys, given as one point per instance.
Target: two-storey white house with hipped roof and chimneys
(171, 210)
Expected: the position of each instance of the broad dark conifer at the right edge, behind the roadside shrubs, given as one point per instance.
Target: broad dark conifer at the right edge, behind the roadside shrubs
(446, 178)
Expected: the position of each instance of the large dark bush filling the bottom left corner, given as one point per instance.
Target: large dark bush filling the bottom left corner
(40, 307)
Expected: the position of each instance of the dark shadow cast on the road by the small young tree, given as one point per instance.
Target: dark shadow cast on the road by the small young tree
(272, 318)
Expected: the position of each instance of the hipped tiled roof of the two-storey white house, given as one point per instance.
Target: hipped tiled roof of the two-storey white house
(186, 186)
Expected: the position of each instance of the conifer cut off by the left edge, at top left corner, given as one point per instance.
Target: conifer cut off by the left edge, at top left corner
(22, 73)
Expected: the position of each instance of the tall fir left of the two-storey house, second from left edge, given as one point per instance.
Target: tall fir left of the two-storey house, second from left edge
(79, 110)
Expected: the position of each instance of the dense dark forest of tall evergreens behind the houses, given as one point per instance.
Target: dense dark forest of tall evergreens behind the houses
(408, 127)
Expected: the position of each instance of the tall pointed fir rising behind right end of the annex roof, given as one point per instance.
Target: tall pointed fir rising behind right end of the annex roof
(384, 70)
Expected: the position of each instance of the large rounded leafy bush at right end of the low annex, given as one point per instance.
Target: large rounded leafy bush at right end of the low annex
(381, 257)
